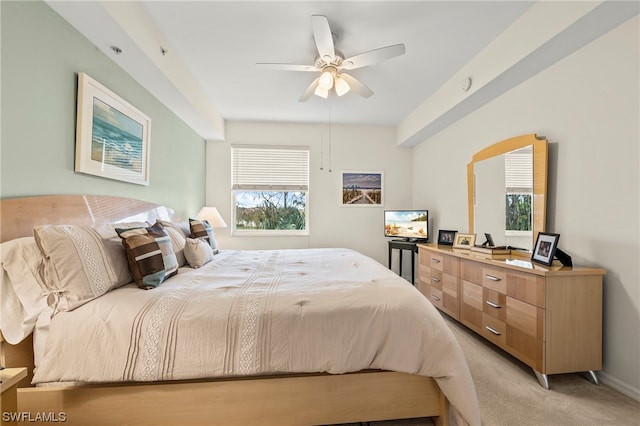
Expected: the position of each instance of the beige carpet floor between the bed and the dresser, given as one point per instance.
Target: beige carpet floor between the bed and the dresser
(509, 393)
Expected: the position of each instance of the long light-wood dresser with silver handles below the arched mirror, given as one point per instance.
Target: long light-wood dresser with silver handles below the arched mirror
(550, 318)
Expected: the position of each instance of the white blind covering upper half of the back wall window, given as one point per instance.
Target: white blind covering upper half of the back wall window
(270, 168)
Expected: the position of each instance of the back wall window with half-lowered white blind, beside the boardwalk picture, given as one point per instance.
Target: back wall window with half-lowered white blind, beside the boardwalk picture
(270, 187)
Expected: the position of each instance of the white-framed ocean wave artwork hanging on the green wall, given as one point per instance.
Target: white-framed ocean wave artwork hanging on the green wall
(112, 136)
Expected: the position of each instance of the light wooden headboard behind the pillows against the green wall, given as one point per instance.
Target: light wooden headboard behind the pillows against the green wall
(18, 216)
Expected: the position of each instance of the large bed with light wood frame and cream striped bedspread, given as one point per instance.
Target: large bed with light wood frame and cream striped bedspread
(313, 336)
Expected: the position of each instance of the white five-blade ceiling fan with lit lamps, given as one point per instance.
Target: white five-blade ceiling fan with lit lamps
(331, 64)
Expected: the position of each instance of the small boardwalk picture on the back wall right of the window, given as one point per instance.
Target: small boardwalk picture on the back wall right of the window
(362, 189)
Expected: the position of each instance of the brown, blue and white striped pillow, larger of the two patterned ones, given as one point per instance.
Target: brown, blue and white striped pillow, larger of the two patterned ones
(150, 254)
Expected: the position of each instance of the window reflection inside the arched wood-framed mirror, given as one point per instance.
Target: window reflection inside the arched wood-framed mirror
(519, 191)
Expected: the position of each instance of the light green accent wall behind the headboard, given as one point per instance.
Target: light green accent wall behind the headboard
(41, 57)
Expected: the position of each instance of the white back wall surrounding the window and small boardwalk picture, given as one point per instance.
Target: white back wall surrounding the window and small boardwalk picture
(351, 148)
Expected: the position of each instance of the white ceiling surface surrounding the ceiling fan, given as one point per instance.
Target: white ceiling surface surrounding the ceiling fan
(208, 72)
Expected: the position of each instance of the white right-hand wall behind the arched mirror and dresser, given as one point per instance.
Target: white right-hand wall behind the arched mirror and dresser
(588, 107)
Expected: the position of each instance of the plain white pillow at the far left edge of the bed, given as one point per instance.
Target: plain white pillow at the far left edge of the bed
(23, 295)
